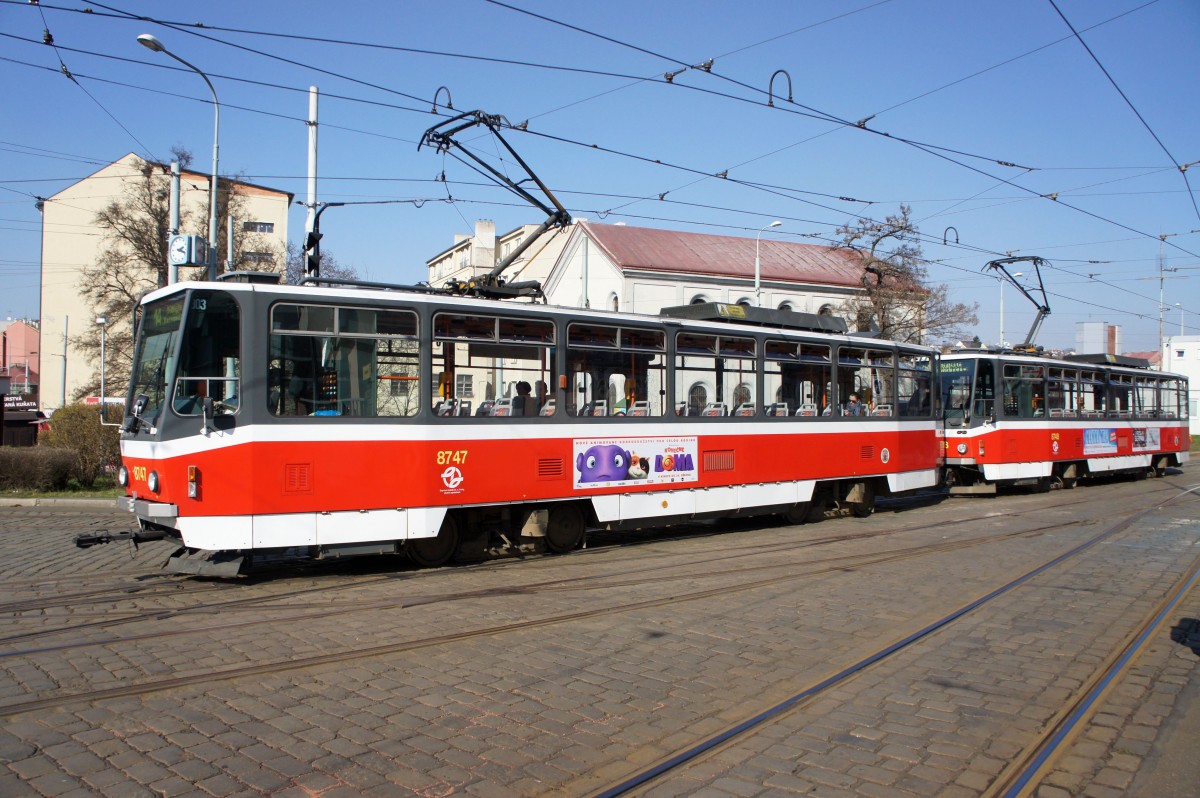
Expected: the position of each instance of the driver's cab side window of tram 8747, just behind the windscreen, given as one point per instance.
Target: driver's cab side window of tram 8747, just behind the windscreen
(211, 356)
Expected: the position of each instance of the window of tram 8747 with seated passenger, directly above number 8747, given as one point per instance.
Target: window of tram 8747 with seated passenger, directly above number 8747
(491, 367)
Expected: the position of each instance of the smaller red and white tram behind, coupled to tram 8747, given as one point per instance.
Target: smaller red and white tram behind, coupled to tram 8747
(1016, 418)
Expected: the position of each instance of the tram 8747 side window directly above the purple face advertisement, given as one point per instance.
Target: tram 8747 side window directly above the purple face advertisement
(616, 371)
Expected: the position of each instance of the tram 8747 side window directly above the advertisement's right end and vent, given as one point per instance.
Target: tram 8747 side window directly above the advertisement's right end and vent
(716, 376)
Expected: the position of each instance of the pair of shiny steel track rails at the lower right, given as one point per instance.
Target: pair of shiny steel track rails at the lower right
(1016, 781)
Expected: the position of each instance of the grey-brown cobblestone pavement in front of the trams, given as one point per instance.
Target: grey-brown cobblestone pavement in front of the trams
(566, 675)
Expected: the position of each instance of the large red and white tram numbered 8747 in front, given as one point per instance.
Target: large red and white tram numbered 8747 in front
(351, 421)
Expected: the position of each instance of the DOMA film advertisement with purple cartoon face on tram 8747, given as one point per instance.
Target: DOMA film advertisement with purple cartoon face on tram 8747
(602, 463)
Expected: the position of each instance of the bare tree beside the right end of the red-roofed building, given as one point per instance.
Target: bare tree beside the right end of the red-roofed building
(898, 298)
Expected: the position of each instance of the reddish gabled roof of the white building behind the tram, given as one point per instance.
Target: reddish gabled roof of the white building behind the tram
(701, 254)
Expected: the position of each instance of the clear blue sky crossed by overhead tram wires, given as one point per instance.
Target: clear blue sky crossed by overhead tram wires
(1009, 107)
